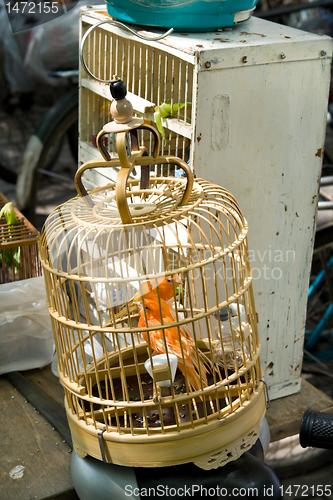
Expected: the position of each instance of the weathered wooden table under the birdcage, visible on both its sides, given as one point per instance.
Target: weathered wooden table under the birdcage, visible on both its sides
(32, 408)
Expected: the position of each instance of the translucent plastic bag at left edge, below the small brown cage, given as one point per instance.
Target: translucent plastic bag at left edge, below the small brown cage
(26, 338)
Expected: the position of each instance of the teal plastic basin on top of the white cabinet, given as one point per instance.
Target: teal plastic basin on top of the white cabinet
(182, 15)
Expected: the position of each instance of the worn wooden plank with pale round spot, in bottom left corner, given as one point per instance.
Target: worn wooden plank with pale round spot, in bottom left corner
(28, 440)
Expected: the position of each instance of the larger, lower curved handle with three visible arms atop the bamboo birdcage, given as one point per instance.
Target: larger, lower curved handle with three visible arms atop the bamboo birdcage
(123, 175)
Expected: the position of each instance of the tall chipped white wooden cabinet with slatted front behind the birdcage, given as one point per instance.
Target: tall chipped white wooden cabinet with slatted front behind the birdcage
(255, 124)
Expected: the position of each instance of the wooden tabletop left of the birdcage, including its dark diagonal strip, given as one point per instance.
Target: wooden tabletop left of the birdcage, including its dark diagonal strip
(29, 441)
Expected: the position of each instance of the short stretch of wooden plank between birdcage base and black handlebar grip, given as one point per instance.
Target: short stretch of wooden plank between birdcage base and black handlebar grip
(285, 414)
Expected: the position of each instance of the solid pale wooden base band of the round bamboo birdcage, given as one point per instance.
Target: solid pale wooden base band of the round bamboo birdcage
(219, 441)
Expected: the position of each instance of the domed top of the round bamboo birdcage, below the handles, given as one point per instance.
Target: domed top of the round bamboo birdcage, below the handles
(158, 220)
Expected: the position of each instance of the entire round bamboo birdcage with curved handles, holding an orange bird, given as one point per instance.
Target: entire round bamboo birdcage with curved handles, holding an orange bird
(144, 385)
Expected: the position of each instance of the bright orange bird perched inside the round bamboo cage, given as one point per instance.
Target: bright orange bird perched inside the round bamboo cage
(150, 308)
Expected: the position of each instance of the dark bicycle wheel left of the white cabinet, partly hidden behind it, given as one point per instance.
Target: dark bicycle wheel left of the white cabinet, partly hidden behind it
(42, 181)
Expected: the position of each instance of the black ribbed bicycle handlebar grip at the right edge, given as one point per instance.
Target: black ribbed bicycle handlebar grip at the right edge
(316, 430)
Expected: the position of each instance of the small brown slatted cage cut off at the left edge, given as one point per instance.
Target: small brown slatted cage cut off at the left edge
(18, 248)
